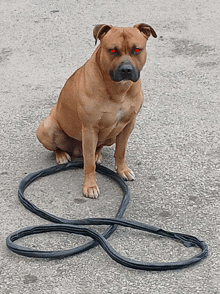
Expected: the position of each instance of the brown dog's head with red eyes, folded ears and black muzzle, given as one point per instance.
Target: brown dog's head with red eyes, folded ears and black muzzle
(123, 50)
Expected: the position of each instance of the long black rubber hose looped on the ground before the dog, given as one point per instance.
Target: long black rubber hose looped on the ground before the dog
(76, 227)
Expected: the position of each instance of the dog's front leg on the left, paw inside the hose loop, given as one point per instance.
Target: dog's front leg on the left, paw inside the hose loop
(89, 144)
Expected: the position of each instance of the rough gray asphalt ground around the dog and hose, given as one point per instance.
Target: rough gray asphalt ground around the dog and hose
(174, 149)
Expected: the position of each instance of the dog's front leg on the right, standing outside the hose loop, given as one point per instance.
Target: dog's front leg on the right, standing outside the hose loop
(121, 143)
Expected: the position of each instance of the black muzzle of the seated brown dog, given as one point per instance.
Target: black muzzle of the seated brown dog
(125, 71)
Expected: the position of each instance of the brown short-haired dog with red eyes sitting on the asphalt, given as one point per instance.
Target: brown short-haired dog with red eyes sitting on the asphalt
(99, 103)
